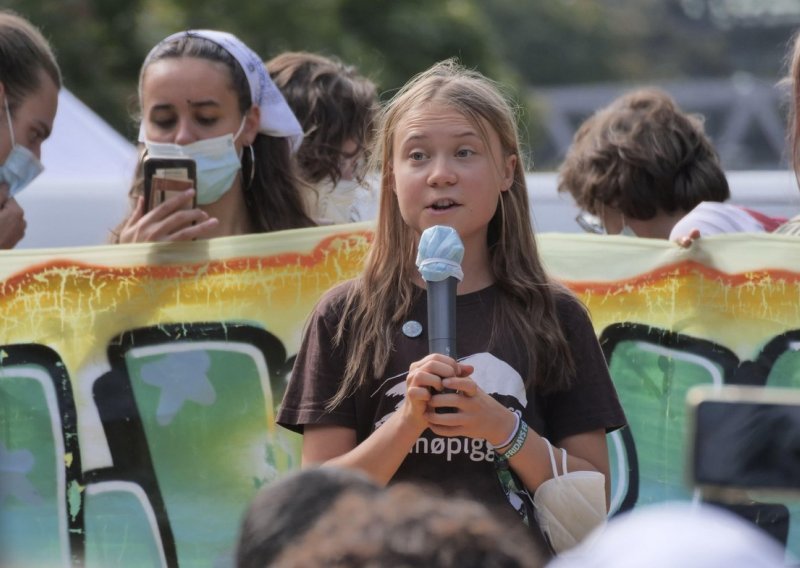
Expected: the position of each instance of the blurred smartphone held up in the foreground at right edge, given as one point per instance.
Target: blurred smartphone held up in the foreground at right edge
(744, 442)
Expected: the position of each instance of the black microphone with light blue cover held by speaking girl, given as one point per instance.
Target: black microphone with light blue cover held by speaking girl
(439, 257)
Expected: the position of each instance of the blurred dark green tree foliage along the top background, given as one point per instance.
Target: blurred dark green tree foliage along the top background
(101, 43)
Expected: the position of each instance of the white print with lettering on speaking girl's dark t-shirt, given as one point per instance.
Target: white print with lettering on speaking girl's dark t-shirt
(495, 377)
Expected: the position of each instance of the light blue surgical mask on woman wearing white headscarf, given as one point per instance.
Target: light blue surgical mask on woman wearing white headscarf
(216, 160)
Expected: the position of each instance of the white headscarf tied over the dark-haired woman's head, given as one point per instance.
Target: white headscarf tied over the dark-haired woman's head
(277, 119)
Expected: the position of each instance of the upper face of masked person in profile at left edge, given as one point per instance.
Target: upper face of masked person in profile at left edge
(32, 120)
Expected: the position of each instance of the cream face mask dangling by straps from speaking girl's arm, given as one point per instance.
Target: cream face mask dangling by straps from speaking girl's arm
(569, 506)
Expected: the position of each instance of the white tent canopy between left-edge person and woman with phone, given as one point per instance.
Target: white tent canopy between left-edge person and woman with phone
(82, 193)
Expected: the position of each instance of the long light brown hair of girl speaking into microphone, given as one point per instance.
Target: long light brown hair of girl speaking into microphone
(383, 295)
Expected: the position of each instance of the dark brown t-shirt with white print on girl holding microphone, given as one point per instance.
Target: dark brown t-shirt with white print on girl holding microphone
(457, 465)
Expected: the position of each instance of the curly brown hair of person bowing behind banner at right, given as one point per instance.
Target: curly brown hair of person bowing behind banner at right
(643, 155)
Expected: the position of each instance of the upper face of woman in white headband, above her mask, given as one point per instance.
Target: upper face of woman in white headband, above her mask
(187, 99)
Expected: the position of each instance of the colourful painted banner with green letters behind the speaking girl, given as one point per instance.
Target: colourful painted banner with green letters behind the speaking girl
(138, 383)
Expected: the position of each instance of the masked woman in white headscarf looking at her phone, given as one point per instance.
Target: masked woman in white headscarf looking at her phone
(205, 95)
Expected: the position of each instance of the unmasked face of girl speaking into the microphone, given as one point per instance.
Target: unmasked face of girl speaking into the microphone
(446, 174)
